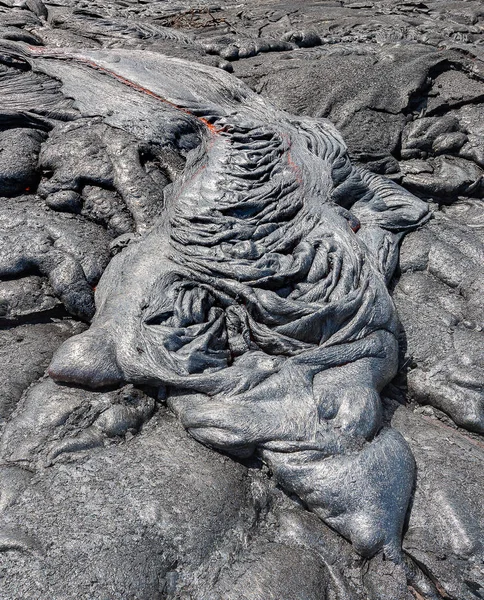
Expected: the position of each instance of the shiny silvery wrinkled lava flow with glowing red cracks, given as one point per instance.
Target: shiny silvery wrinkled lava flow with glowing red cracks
(257, 293)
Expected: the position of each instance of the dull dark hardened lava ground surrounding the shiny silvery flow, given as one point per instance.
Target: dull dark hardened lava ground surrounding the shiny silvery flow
(145, 512)
